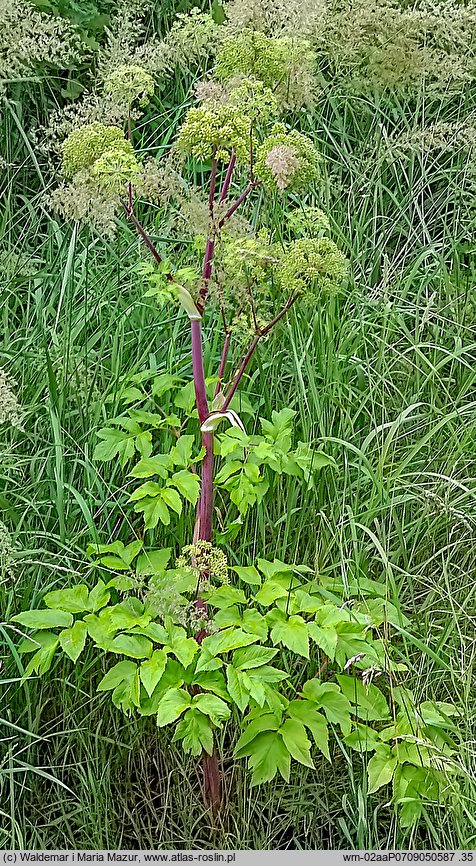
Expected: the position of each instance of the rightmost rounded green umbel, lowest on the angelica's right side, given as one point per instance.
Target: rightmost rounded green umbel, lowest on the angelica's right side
(312, 265)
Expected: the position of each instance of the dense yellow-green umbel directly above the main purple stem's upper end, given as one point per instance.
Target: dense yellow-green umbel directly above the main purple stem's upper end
(214, 128)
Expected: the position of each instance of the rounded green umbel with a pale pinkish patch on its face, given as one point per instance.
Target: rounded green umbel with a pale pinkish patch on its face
(287, 160)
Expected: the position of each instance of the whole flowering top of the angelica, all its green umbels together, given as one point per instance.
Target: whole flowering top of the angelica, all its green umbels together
(235, 127)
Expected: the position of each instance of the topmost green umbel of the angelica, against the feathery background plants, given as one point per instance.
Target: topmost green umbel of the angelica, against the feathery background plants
(252, 53)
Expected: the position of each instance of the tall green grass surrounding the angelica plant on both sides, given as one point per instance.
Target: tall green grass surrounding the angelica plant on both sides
(384, 378)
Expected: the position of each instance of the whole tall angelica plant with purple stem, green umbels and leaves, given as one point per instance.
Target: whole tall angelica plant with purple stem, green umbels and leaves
(199, 641)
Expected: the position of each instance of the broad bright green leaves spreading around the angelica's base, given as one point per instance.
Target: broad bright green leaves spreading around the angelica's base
(278, 613)
